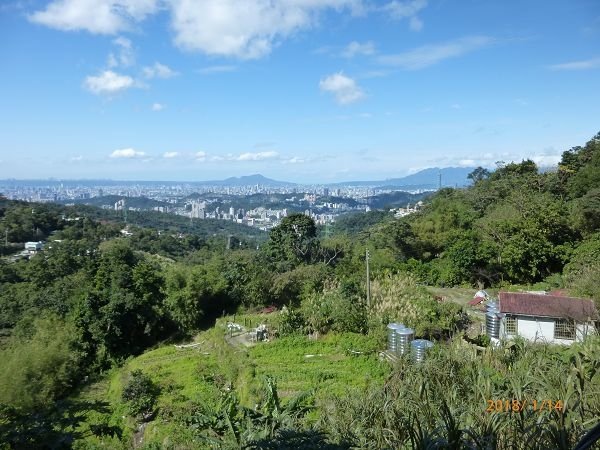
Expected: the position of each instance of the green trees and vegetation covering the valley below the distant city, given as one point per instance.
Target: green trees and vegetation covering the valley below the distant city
(81, 310)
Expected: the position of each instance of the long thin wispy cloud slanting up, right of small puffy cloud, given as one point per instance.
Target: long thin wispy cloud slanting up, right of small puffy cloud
(428, 55)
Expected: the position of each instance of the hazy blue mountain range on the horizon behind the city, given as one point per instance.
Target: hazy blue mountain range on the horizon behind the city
(424, 179)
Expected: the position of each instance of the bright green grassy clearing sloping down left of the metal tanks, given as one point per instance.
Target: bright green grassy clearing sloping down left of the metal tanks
(195, 378)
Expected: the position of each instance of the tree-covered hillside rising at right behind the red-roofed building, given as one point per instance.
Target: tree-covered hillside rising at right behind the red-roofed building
(515, 225)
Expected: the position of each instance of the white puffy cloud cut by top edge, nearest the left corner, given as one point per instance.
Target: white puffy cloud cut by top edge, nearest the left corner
(95, 16)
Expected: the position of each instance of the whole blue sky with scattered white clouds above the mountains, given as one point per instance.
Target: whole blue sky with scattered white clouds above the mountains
(301, 90)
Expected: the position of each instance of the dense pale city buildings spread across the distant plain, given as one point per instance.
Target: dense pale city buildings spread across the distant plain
(270, 201)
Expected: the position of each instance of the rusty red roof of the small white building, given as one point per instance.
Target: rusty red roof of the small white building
(580, 309)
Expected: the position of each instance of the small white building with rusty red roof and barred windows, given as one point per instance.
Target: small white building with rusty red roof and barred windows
(546, 318)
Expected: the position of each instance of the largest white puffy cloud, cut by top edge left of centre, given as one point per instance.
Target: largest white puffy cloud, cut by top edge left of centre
(245, 29)
